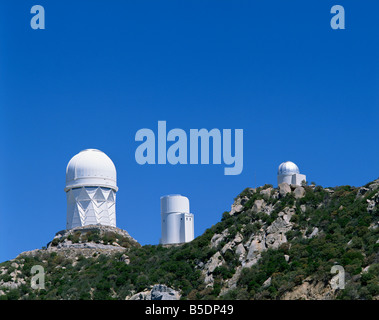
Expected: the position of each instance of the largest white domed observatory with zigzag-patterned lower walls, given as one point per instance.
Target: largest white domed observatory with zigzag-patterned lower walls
(91, 189)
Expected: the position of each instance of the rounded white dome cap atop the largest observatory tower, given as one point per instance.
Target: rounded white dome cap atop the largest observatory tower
(91, 167)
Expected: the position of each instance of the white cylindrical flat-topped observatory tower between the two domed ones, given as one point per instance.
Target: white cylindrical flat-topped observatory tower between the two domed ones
(176, 220)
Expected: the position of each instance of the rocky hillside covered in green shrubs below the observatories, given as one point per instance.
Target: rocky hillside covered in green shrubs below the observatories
(274, 243)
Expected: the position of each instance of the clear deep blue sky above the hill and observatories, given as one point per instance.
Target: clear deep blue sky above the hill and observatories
(101, 70)
